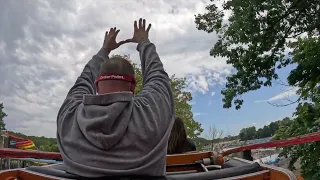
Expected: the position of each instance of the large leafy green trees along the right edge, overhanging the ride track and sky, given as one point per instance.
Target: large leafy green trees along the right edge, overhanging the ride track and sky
(260, 37)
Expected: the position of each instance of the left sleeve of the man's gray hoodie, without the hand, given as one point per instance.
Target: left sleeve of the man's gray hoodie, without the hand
(83, 85)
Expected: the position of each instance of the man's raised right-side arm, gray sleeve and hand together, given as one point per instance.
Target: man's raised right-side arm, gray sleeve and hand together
(156, 90)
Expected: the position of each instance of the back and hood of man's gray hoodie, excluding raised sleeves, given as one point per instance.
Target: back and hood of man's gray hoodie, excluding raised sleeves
(118, 139)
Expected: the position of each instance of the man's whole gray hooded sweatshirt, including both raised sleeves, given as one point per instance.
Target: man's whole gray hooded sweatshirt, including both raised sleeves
(117, 134)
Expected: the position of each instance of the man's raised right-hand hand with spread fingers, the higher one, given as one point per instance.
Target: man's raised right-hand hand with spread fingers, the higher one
(140, 32)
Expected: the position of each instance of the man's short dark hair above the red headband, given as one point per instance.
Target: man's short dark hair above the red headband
(117, 65)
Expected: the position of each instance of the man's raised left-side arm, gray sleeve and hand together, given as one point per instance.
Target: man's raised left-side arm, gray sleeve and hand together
(85, 82)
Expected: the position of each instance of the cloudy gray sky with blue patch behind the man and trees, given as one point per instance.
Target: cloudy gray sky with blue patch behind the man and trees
(45, 44)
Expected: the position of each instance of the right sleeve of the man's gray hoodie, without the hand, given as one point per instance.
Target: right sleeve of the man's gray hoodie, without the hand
(156, 91)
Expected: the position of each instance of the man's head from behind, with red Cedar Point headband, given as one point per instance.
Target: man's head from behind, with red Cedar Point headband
(116, 75)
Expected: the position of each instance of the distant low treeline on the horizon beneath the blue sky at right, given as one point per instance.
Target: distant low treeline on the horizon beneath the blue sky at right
(250, 133)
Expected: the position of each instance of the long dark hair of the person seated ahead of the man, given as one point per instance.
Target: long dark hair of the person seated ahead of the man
(177, 137)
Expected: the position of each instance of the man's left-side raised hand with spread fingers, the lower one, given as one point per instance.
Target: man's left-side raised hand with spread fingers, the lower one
(110, 42)
